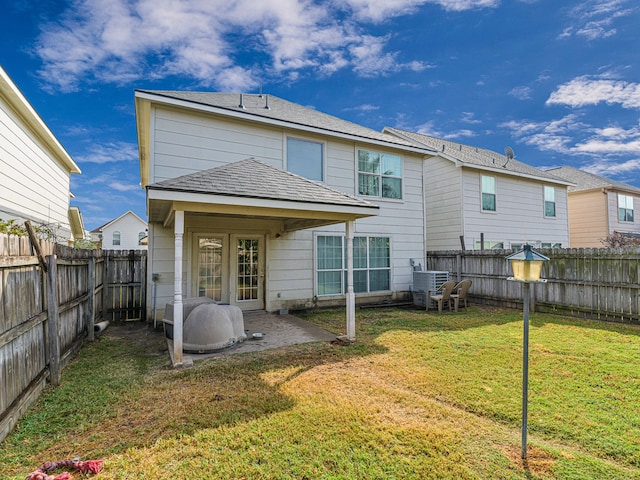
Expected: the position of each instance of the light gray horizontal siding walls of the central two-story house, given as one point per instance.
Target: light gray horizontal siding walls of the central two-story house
(187, 142)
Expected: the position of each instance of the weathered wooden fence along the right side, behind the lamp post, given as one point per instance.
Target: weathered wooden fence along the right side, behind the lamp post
(596, 283)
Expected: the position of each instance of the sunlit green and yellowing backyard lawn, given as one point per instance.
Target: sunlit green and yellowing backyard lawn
(419, 395)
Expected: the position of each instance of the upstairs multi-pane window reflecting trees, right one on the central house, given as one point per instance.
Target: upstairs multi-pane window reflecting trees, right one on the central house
(379, 174)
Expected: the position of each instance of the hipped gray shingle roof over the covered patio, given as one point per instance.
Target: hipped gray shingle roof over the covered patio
(254, 179)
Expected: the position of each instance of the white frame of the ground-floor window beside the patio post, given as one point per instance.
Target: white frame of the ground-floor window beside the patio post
(343, 275)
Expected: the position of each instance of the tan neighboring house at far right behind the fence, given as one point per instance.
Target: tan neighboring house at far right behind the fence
(598, 207)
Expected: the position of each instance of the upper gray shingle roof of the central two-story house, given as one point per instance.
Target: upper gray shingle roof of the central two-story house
(282, 110)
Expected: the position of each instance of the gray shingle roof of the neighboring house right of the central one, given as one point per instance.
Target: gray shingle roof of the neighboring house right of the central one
(482, 158)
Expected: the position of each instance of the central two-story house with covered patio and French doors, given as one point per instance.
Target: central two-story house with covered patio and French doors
(265, 204)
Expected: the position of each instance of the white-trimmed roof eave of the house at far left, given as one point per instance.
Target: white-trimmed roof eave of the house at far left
(11, 94)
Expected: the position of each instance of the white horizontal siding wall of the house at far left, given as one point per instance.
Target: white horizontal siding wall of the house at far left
(34, 185)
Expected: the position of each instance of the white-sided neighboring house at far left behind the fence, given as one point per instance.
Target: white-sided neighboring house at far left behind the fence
(36, 169)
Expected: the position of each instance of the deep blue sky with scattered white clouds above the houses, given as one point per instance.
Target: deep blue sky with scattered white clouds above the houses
(558, 81)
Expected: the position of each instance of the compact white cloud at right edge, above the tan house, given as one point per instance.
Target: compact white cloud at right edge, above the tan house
(587, 90)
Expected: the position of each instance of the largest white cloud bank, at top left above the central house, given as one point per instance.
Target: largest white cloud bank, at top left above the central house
(121, 41)
